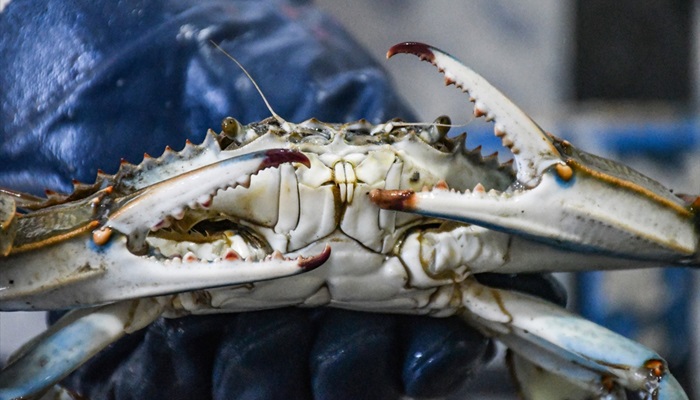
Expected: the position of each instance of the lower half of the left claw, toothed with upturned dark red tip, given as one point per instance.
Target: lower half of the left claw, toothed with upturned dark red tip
(98, 275)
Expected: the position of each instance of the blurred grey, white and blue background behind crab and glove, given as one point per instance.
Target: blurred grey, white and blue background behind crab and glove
(619, 79)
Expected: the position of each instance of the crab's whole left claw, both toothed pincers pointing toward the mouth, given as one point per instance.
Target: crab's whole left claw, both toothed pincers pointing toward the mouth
(92, 265)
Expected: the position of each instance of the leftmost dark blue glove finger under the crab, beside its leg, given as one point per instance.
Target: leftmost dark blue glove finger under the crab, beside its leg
(171, 359)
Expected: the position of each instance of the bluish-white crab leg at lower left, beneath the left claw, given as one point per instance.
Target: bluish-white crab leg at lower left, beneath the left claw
(73, 340)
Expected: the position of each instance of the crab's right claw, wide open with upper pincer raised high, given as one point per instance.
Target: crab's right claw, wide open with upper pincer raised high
(562, 196)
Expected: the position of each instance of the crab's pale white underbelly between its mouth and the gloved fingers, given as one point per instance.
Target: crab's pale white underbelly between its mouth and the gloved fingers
(353, 278)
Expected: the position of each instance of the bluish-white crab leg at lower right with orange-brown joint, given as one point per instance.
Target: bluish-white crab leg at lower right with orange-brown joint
(568, 345)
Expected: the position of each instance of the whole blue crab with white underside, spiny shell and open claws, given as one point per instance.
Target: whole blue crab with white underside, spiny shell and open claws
(395, 217)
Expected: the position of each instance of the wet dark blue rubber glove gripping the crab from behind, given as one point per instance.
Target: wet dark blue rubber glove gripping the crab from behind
(84, 85)
